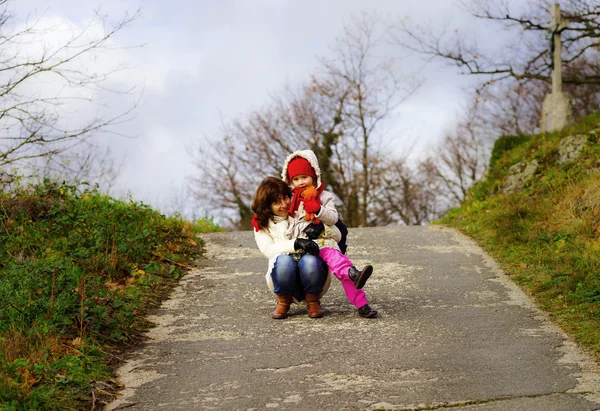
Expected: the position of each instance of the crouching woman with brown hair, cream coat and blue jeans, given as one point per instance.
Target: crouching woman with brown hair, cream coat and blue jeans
(295, 272)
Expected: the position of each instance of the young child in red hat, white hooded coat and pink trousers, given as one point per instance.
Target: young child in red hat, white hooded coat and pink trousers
(308, 214)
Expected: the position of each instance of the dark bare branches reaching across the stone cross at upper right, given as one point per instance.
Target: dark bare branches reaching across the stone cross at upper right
(528, 56)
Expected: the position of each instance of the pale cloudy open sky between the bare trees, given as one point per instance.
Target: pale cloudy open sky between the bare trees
(208, 61)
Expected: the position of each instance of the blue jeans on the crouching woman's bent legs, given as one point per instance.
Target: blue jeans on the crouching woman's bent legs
(306, 275)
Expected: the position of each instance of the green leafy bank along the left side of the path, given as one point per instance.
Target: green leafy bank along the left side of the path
(77, 272)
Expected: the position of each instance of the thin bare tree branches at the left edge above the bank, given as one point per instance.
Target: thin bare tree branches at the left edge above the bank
(37, 124)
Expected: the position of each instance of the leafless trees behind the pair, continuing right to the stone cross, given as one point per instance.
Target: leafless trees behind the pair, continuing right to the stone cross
(342, 111)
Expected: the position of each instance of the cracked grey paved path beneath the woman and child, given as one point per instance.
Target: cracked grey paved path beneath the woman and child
(453, 333)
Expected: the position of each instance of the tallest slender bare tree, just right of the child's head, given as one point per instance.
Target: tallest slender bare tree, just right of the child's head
(373, 90)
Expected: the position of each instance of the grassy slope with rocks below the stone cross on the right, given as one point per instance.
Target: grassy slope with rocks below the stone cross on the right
(547, 237)
